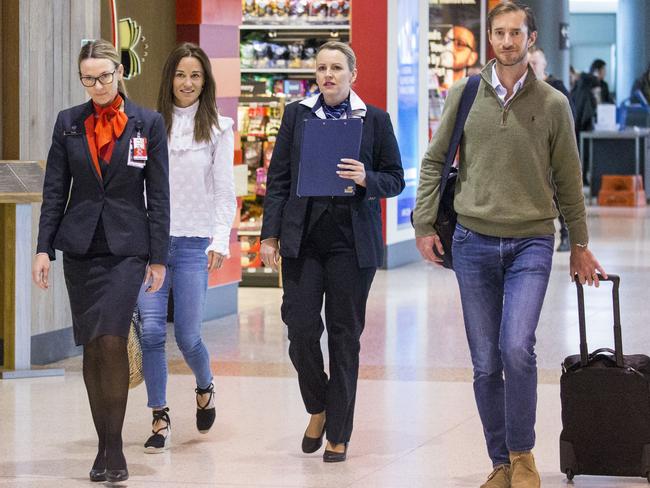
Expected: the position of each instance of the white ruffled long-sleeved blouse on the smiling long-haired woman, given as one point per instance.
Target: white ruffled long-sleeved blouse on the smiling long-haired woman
(202, 188)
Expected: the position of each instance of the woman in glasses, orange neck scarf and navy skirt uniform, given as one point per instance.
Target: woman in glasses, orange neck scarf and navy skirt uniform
(94, 210)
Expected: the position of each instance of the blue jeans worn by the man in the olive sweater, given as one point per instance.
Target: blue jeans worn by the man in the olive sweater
(502, 285)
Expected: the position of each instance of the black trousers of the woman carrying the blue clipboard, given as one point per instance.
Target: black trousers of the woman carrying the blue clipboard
(326, 268)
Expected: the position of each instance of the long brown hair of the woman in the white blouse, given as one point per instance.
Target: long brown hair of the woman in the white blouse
(206, 115)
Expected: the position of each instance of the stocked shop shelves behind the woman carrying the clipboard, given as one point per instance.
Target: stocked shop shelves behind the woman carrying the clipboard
(278, 44)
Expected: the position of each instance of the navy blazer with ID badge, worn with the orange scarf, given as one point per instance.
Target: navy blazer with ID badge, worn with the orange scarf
(75, 195)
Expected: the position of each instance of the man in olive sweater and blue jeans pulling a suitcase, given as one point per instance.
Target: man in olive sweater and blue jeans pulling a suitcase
(518, 148)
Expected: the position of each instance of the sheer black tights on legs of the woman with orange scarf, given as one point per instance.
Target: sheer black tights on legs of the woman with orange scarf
(106, 374)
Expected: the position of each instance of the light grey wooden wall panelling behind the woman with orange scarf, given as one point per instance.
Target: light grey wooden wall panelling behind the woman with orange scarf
(50, 38)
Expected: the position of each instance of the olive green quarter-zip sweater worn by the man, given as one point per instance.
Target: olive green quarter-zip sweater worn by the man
(513, 158)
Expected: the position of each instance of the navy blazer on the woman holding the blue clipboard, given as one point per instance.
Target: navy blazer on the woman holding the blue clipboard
(285, 213)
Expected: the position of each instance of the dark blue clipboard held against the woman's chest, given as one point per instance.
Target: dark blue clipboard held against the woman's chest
(324, 143)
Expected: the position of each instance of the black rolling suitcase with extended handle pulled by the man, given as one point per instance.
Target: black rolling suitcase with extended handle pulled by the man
(605, 406)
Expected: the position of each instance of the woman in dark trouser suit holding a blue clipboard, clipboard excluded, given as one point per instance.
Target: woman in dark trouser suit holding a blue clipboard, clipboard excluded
(330, 246)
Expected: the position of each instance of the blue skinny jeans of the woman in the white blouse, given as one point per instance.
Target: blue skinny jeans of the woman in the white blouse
(187, 275)
